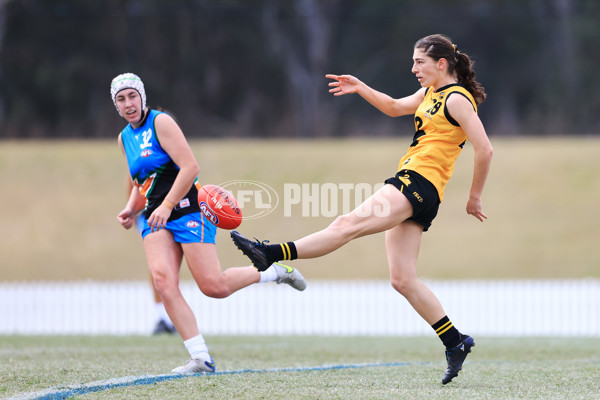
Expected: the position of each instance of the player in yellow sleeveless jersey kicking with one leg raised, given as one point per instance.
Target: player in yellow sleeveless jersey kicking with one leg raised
(445, 114)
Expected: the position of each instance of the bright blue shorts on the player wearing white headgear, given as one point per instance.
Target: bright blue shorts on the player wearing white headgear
(191, 228)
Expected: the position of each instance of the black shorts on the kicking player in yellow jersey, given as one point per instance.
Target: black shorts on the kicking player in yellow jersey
(421, 193)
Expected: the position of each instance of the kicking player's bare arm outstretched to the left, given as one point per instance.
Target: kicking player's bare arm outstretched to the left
(345, 84)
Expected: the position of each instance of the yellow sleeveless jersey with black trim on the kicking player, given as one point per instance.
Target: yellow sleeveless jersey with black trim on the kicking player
(438, 138)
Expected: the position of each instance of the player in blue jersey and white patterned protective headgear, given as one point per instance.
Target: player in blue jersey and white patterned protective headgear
(164, 173)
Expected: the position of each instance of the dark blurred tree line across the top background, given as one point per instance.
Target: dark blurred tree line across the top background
(256, 67)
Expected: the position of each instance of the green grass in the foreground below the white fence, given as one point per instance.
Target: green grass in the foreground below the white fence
(498, 368)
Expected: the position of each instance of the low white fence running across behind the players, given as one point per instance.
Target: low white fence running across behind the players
(498, 308)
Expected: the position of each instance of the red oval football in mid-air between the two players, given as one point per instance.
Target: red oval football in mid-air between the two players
(219, 207)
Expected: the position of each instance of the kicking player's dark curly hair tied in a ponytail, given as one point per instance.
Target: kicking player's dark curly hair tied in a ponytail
(440, 46)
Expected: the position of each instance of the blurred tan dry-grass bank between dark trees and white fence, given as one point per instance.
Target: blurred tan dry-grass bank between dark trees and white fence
(60, 201)
